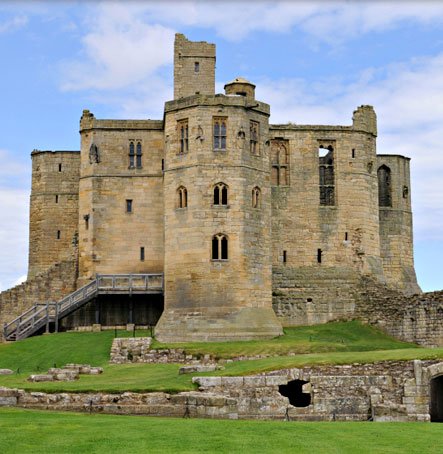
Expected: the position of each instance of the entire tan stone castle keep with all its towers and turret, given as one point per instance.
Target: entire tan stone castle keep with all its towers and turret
(252, 225)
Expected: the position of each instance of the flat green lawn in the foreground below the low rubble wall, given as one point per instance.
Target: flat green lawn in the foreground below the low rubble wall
(36, 432)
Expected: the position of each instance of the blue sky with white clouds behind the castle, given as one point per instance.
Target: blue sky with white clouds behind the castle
(313, 62)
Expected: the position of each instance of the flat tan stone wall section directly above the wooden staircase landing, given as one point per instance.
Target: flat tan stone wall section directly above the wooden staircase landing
(110, 236)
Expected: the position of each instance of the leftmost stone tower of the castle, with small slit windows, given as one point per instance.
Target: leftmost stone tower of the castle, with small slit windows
(53, 207)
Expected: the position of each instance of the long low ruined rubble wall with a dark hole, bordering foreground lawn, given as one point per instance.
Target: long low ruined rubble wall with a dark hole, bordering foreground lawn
(385, 391)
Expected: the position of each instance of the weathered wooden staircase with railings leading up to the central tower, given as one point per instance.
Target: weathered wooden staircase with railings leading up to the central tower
(42, 314)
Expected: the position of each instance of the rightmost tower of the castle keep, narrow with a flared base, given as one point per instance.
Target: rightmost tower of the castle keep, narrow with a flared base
(396, 225)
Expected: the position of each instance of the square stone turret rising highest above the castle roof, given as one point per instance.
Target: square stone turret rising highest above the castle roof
(194, 67)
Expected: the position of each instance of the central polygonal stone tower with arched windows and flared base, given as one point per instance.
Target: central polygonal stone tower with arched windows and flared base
(217, 203)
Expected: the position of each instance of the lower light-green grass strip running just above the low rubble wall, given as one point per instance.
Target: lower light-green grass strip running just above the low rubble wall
(164, 377)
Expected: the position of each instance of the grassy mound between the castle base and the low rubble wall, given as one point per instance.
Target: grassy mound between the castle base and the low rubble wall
(334, 343)
